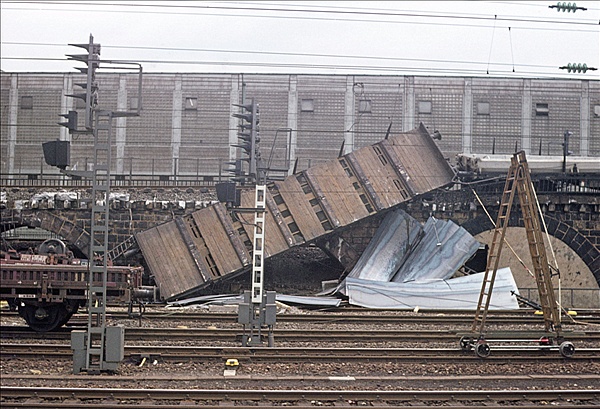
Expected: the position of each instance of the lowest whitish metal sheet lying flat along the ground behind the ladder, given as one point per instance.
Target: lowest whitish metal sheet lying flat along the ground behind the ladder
(456, 293)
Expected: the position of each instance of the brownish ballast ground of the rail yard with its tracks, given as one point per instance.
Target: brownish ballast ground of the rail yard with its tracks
(527, 370)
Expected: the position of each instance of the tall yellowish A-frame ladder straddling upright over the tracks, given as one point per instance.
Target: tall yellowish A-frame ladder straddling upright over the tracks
(519, 180)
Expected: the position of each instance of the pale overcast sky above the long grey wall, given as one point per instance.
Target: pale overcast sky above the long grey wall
(360, 37)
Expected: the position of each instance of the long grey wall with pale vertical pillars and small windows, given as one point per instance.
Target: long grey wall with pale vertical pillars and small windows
(186, 125)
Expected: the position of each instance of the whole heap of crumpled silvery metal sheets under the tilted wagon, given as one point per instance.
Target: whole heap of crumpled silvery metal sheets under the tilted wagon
(407, 265)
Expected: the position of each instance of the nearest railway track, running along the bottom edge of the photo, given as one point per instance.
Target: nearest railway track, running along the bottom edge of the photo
(114, 398)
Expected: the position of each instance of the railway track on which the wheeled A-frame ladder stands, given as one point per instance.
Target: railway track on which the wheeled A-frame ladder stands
(302, 354)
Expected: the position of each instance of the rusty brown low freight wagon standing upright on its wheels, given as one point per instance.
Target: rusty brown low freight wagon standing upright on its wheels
(48, 287)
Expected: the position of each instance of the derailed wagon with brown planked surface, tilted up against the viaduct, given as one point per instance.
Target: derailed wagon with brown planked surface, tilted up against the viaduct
(193, 251)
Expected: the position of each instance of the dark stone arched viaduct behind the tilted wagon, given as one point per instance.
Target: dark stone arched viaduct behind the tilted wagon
(570, 205)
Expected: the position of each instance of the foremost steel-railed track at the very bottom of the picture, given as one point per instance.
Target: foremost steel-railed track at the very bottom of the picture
(302, 396)
